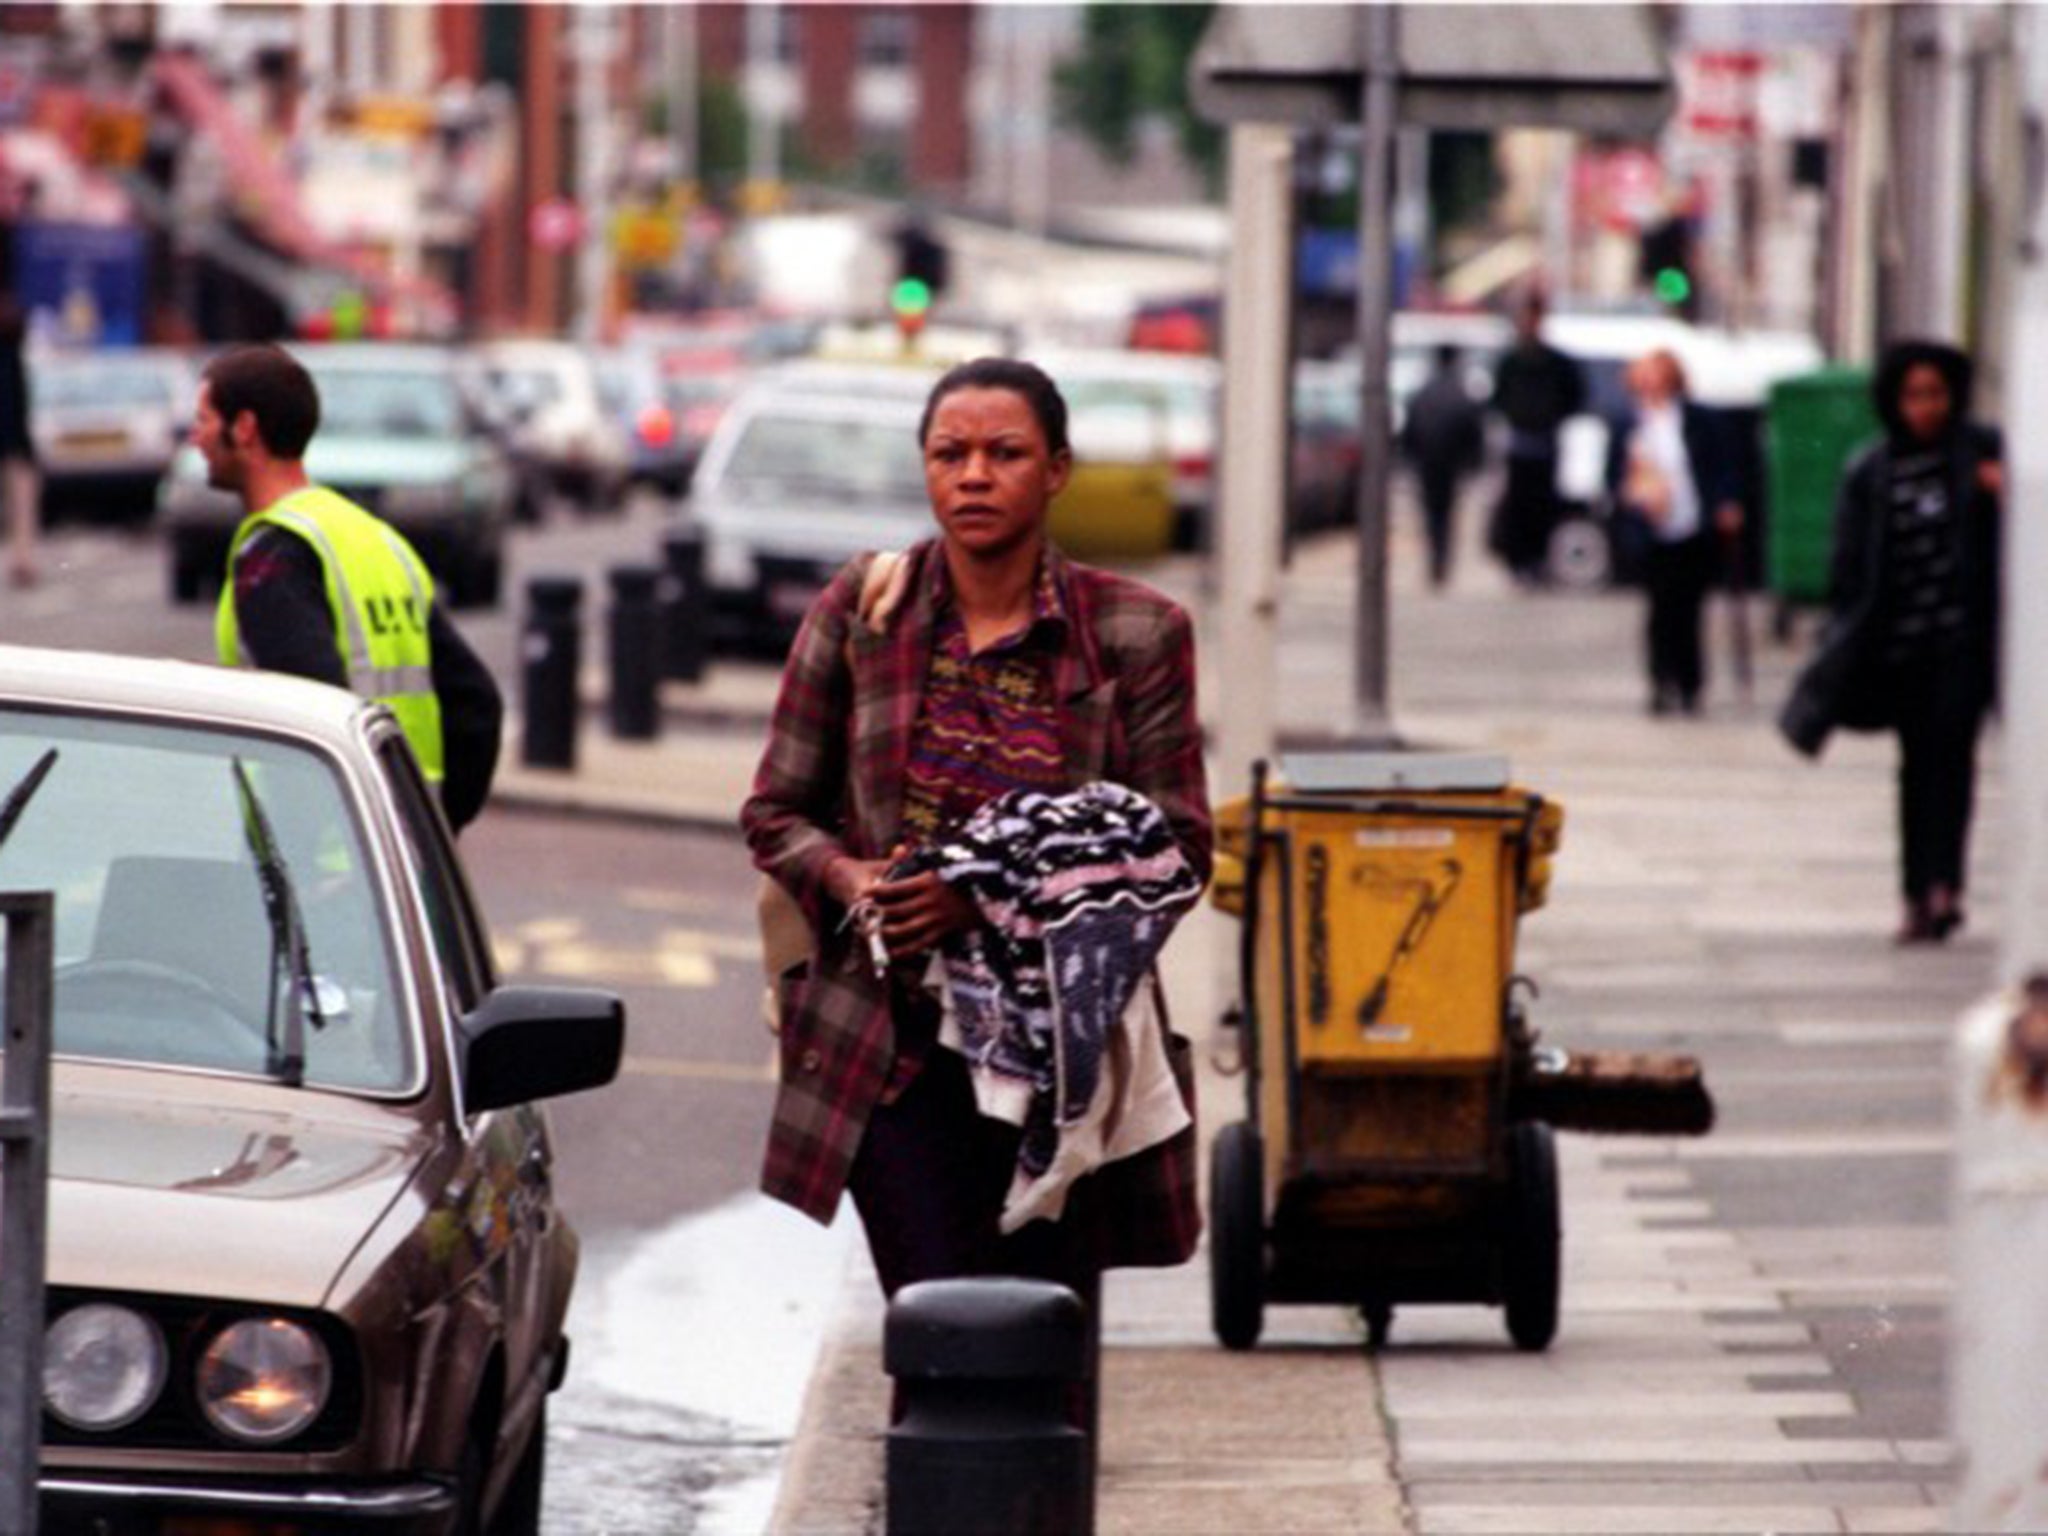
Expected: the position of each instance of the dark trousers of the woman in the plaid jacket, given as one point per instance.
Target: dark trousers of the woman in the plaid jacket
(929, 1185)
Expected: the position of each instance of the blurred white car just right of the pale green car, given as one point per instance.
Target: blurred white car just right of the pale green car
(546, 404)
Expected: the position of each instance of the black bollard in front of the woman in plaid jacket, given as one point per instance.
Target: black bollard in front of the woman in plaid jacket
(986, 1447)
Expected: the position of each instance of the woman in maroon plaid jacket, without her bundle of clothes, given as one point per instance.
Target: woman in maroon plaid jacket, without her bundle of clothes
(1070, 677)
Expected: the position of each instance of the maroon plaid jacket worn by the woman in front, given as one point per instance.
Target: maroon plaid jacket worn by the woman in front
(833, 783)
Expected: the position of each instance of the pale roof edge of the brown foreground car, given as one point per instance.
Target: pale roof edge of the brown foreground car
(185, 691)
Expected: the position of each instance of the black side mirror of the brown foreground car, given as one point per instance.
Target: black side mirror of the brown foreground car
(529, 1043)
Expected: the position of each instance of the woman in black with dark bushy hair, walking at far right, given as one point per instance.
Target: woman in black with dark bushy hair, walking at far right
(1914, 617)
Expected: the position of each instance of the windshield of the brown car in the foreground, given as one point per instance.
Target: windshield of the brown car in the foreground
(165, 949)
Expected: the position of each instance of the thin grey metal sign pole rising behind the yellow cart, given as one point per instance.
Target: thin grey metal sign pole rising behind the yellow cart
(1375, 314)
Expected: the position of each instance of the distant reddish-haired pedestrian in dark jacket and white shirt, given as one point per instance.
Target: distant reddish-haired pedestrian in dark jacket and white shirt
(1676, 480)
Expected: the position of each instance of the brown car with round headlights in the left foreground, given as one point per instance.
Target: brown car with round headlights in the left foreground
(306, 1267)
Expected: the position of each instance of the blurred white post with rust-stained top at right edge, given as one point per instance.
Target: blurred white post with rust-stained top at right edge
(2000, 1213)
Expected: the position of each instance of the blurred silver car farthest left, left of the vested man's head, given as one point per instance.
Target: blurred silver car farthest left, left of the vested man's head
(105, 427)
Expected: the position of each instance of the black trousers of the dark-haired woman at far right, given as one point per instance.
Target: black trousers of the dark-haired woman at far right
(1940, 716)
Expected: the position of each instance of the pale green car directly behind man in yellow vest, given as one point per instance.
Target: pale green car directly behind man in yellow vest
(398, 437)
